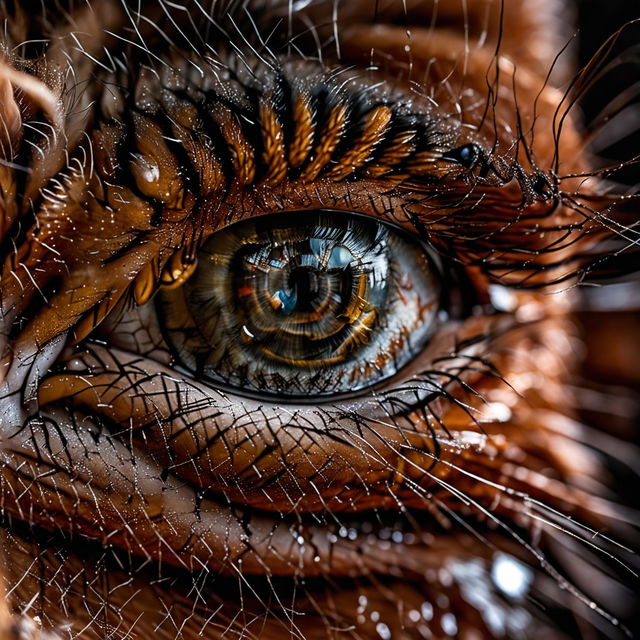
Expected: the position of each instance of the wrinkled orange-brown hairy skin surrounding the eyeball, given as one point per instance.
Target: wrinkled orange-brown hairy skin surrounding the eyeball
(140, 501)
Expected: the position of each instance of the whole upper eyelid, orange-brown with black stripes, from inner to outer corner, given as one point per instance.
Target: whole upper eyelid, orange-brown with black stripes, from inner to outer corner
(469, 217)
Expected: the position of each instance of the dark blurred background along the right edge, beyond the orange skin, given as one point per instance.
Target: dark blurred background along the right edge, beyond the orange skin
(610, 322)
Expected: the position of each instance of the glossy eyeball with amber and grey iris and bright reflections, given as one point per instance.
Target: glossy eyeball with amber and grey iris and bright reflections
(303, 303)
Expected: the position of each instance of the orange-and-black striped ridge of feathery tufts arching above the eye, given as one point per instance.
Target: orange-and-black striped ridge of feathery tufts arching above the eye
(319, 131)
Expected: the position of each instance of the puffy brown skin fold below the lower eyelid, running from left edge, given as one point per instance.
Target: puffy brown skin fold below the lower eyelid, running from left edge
(169, 521)
